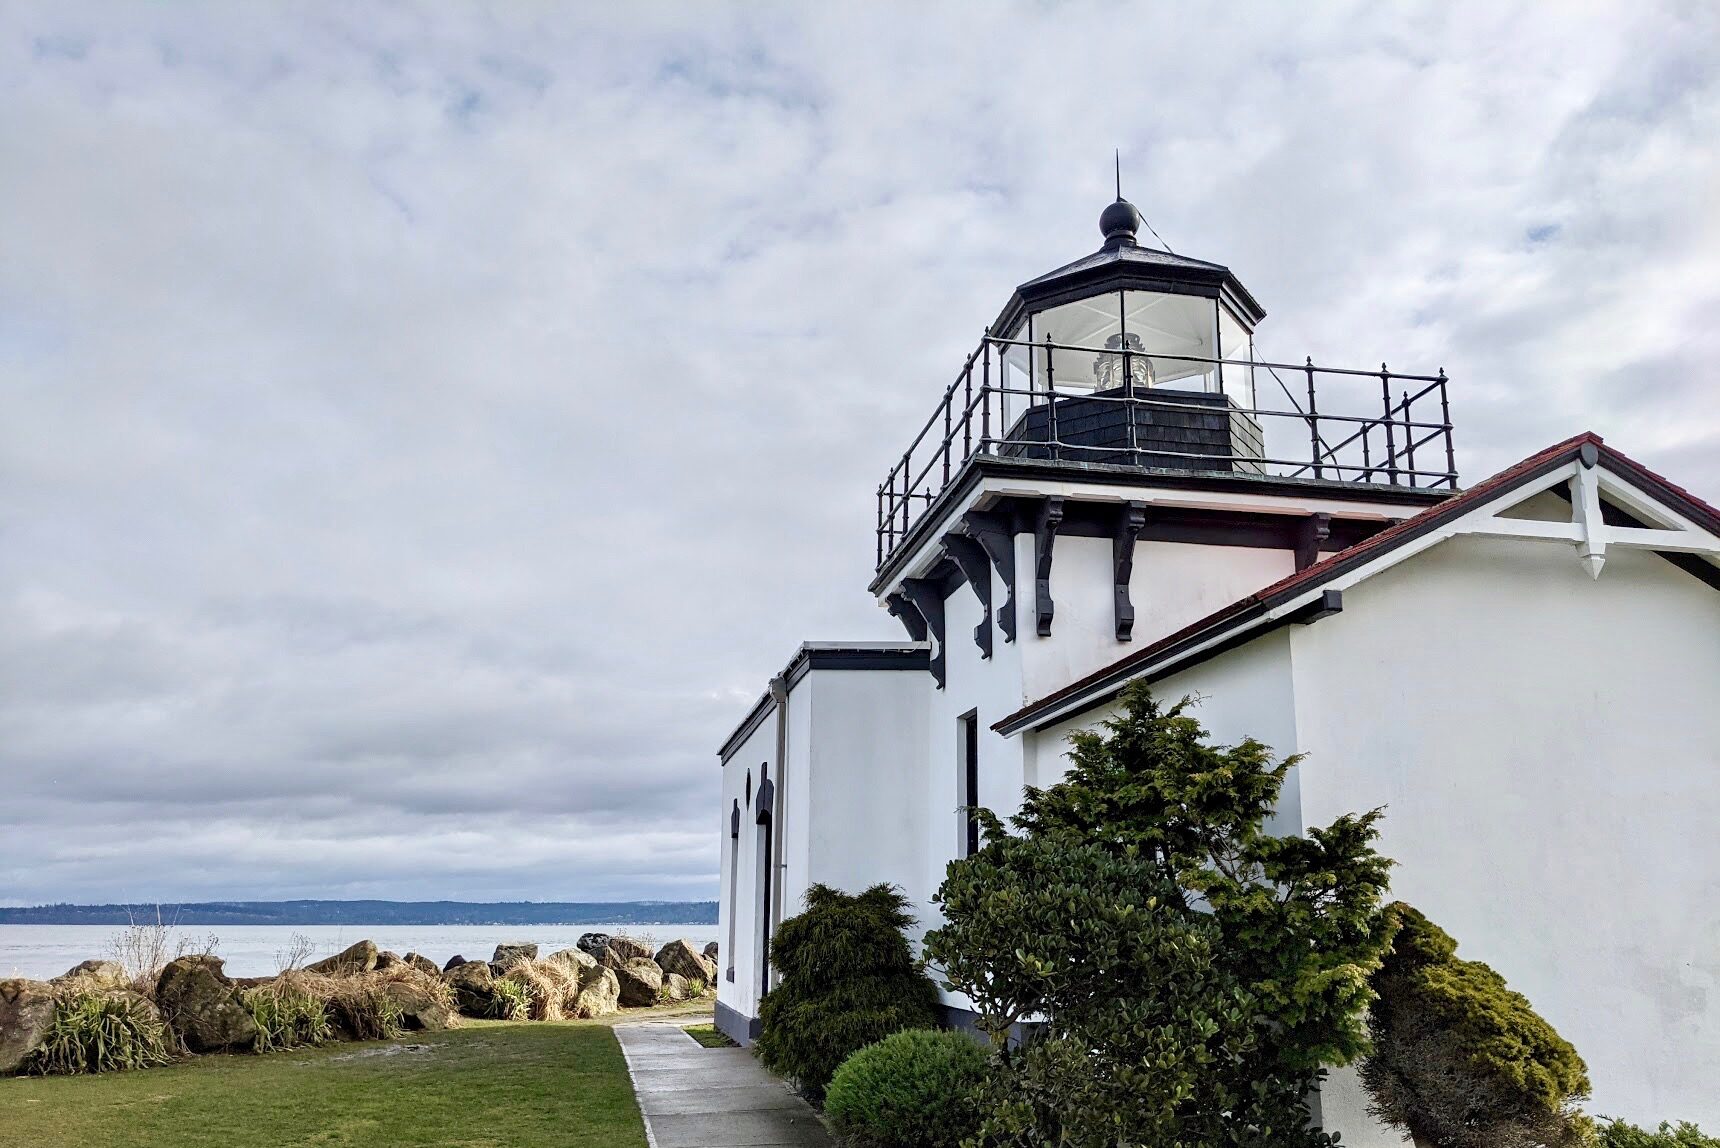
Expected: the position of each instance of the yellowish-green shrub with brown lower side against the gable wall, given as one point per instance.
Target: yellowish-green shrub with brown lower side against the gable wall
(1459, 1059)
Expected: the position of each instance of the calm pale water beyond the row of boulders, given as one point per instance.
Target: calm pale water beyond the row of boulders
(44, 951)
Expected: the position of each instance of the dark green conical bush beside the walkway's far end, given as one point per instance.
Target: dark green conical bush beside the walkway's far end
(849, 982)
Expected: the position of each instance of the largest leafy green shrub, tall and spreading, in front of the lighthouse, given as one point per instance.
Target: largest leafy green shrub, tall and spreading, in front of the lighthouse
(1193, 973)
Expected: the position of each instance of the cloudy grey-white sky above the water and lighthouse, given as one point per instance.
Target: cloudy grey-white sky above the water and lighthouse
(424, 428)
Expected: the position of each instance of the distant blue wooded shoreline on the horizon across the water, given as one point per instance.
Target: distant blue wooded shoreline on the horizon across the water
(374, 913)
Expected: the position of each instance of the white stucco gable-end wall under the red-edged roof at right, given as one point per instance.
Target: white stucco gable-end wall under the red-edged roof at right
(1549, 755)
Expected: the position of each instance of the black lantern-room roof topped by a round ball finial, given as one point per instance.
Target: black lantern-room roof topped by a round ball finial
(1122, 264)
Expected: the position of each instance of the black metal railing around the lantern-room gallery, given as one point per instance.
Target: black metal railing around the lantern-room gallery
(1007, 402)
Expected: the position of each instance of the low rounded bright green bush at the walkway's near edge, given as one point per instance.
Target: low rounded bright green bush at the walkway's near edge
(911, 1090)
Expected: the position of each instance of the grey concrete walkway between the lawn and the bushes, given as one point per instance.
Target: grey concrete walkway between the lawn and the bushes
(697, 1097)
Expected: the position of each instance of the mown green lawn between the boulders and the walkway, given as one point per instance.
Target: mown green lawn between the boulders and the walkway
(488, 1085)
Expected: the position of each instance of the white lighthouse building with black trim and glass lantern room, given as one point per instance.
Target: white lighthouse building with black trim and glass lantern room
(1525, 674)
